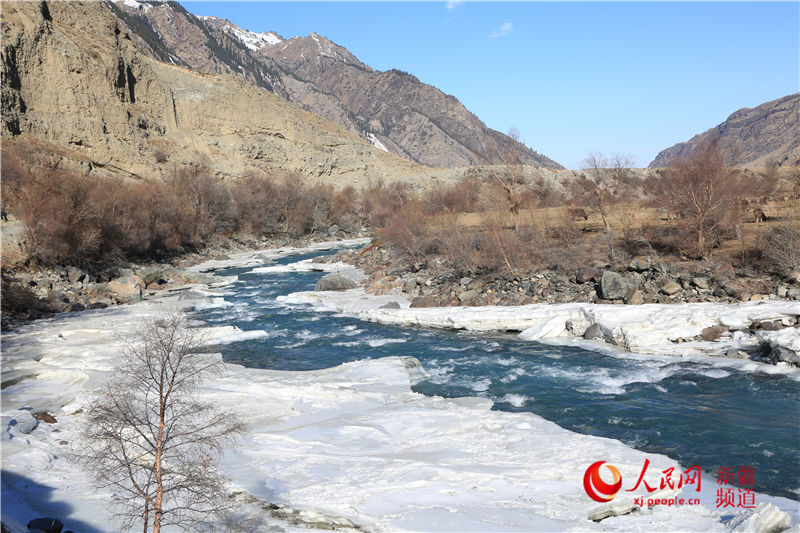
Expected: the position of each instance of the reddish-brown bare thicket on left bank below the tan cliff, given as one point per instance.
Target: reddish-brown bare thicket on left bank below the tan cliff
(78, 219)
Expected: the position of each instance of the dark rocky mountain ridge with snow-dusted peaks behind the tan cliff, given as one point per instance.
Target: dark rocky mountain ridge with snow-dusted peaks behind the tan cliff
(392, 110)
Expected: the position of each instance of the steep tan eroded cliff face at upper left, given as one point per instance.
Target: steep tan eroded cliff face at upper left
(73, 77)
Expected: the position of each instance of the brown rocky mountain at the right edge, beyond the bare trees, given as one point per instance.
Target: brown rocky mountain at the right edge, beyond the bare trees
(754, 137)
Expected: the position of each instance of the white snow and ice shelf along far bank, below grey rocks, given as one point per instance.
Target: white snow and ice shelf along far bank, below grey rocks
(647, 329)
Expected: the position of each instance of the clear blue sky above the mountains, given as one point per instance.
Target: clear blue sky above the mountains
(572, 77)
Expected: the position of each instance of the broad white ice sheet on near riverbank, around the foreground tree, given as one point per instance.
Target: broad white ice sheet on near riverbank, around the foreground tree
(351, 445)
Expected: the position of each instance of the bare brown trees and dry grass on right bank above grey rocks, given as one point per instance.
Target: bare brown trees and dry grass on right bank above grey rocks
(500, 221)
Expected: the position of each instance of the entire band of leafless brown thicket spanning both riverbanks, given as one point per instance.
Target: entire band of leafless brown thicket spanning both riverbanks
(495, 219)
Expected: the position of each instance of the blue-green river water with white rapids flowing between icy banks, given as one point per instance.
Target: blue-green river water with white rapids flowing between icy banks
(699, 413)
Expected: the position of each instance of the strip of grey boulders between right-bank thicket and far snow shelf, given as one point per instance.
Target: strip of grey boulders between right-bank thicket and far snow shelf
(645, 280)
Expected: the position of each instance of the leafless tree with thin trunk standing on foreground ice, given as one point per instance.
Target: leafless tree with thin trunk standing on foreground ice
(149, 439)
